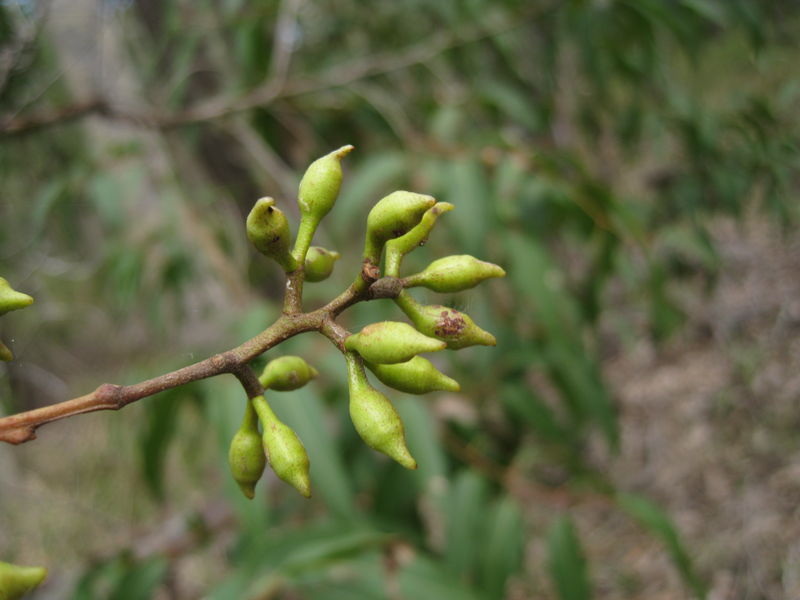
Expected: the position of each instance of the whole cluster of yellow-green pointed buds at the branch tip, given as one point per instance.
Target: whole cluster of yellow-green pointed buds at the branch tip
(396, 225)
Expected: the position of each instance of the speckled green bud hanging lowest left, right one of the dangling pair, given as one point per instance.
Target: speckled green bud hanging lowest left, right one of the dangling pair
(284, 450)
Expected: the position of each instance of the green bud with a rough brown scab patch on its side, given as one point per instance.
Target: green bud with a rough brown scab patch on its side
(448, 324)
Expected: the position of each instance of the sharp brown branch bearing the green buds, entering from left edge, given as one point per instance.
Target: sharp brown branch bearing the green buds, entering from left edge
(19, 428)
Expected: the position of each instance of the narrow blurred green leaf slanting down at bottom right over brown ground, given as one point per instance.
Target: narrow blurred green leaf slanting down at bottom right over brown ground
(657, 522)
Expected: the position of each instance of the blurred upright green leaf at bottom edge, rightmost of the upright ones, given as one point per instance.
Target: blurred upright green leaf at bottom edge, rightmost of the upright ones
(566, 561)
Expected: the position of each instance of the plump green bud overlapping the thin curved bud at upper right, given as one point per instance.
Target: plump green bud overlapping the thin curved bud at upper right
(393, 216)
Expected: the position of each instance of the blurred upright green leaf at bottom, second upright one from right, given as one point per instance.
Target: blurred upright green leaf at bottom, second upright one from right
(502, 546)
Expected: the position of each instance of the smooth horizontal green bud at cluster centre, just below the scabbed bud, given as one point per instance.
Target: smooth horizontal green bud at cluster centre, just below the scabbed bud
(391, 342)
